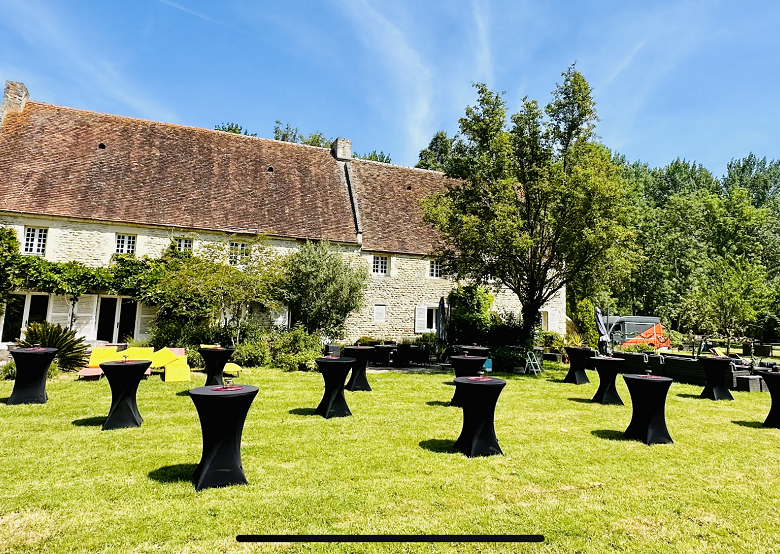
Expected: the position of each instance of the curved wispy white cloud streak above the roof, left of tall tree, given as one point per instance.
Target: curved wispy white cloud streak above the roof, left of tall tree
(409, 71)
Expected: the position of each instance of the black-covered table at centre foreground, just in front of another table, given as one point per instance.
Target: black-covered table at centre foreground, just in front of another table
(479, 398)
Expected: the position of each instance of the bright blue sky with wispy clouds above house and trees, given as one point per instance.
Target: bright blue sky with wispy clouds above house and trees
(697, 80)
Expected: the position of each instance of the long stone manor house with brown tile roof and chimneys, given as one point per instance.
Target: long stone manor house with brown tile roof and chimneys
(81, 185)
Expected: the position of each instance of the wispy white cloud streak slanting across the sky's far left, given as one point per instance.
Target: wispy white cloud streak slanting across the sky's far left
(47, 33)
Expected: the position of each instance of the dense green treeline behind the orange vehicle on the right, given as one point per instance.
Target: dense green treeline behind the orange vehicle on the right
(707, 249)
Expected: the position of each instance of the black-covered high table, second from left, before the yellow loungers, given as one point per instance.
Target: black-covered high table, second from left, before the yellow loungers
(124, 377)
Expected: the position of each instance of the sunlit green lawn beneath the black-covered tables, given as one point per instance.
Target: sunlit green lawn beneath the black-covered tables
(67, 486)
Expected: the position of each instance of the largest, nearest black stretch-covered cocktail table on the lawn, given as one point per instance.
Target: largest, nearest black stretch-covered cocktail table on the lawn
(222, 415)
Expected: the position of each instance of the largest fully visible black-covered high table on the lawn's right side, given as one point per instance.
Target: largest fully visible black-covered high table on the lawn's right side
(648, 397)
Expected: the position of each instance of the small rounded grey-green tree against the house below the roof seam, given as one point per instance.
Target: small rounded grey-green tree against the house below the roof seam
(321, 288)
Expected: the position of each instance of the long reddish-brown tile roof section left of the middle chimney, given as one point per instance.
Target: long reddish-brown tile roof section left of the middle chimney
(163, 174)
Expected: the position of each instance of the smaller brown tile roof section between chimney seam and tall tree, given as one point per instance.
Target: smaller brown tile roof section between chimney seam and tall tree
(388, 202)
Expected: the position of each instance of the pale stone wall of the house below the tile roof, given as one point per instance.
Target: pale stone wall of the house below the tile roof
(406, 291)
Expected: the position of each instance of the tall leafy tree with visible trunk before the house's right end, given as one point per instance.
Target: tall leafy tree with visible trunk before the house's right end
(539, 203)
